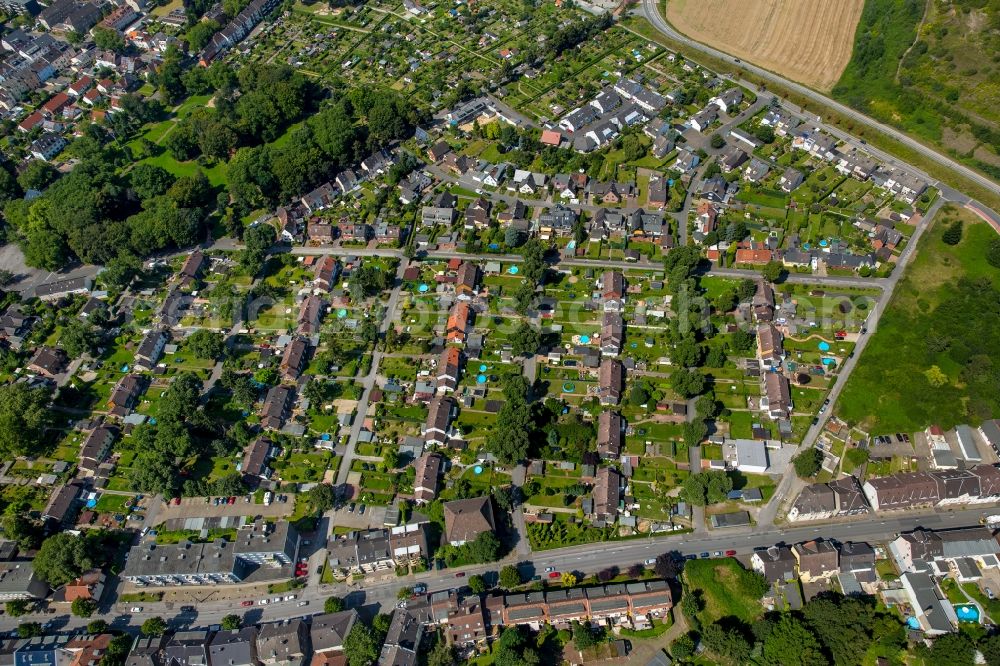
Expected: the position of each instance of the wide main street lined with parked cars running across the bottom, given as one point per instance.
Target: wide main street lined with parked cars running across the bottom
(588, 558)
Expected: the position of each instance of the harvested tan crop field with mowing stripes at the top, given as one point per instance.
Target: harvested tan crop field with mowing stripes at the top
(809, 41)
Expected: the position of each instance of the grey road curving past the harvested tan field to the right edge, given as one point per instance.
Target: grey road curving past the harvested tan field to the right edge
(650, 11)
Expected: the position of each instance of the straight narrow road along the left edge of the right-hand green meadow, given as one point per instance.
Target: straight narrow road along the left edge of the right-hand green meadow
(790, 485)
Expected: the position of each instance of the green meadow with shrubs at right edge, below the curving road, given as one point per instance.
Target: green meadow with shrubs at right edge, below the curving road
(932, 321)
